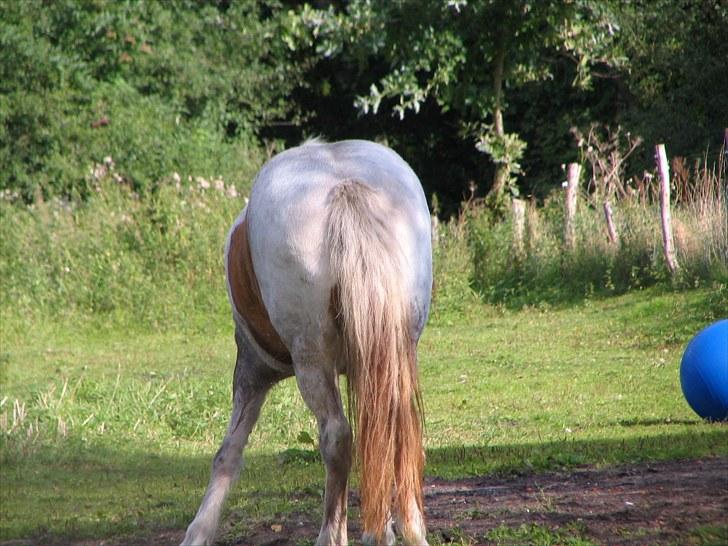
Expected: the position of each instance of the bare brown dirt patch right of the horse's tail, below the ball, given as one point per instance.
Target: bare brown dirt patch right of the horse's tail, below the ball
(656, 503)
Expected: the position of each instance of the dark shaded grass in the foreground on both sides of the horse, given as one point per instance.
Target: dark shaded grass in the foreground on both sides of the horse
(72, 492)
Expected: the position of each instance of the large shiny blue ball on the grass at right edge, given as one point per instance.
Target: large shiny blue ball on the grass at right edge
(704, 372)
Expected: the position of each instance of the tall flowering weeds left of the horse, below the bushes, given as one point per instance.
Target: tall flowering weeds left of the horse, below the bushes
(141, 262)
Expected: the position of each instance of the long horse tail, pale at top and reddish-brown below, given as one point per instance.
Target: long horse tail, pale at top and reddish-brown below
(372, 308)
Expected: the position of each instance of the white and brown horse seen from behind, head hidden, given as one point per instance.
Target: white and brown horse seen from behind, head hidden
(329, 272)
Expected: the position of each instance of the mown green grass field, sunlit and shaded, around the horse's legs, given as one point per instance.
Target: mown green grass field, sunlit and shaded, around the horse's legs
(106, 433)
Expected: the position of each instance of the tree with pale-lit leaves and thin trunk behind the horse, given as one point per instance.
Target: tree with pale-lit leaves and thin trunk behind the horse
(465, 55)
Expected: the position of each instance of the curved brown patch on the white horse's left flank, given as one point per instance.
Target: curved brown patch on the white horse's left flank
(246, 296)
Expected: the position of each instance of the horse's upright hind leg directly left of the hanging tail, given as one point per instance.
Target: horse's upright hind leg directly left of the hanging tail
(318, 383)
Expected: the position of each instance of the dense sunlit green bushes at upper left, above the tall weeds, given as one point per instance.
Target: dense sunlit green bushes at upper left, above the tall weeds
(161, 87)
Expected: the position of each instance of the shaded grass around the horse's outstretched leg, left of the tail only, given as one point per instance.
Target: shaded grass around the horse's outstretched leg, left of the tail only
(69, 492)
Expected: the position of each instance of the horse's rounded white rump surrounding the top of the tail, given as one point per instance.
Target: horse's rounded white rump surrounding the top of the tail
(287, 215)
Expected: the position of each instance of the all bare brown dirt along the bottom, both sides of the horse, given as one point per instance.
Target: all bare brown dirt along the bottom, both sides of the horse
(655, 503)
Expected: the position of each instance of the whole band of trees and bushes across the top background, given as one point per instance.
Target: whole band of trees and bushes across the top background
(481, 91)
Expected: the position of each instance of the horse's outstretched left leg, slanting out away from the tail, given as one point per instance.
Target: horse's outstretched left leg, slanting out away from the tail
(252, 381)
